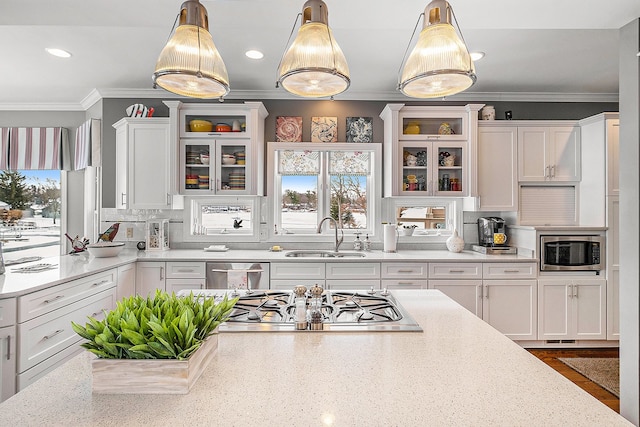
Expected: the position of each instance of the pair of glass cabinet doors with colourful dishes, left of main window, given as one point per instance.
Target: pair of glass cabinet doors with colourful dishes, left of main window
(216, 166)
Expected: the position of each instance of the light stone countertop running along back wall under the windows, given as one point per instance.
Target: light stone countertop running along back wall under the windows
(69, 267)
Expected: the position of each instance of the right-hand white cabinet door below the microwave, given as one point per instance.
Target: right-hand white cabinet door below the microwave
(589, 306)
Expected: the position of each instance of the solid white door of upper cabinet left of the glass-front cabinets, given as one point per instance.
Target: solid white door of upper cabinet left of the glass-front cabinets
(149, 166)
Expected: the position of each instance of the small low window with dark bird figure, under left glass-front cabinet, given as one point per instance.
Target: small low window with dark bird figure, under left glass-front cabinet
(221, 218)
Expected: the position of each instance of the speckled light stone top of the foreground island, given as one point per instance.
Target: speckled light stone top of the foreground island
(459, 371)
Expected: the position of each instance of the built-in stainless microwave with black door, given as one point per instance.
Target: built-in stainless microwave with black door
(571, 253)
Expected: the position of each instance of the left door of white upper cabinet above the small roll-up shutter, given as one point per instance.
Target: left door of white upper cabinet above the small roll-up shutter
(532, 154)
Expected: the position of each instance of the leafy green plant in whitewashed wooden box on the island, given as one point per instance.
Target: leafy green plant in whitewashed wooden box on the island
(159, 344)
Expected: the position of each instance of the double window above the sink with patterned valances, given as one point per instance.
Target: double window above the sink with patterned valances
(313, 181)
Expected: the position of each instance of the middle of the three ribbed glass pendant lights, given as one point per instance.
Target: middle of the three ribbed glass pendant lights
(314, 65)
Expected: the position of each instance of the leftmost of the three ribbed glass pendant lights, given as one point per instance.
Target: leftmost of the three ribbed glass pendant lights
(190, 64)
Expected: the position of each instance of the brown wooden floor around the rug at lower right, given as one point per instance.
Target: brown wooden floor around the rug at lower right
(550, 357)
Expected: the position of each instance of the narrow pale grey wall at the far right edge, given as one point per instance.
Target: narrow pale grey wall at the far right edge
(629, 222)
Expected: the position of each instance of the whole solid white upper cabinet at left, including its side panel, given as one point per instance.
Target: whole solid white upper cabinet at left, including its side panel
(143, 168)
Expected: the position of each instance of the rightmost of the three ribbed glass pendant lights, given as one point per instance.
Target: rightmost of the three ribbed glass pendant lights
(440, 64)
